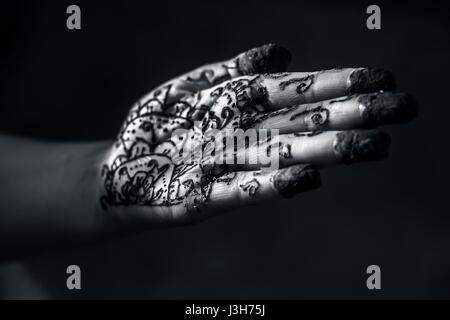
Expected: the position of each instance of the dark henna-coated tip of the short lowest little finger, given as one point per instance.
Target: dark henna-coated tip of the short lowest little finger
(296, 179)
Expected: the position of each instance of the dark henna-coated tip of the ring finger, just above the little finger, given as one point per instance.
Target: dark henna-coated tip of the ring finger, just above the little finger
(361, 145)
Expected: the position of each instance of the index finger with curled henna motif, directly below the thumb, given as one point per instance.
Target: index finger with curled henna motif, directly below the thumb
(280, 90)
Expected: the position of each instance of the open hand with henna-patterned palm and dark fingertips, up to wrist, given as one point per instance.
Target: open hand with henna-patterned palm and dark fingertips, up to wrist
(146, 177)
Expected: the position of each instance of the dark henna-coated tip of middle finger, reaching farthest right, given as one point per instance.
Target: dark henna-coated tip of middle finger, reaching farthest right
(387, 108)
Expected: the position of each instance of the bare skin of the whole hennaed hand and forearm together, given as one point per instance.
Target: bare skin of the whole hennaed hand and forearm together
(73, 193)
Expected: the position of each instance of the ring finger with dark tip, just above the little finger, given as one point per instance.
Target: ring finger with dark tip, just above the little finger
(317, 148)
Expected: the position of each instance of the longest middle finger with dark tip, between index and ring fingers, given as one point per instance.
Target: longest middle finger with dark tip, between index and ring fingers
(351, 112)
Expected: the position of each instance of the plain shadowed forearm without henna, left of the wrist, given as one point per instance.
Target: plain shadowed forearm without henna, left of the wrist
(50, 194)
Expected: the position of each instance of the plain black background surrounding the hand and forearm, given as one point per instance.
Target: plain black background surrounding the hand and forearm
(78, 85)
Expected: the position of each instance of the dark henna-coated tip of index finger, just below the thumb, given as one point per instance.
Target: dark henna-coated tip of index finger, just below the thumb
(366, 80)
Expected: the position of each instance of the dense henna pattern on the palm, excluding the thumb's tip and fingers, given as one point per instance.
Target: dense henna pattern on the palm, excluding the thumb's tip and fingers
(141, 169)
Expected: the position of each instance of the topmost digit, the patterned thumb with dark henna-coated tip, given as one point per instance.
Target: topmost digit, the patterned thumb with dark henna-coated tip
(264, 59)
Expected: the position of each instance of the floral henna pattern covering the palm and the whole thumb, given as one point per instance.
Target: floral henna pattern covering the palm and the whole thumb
(142, 168)
